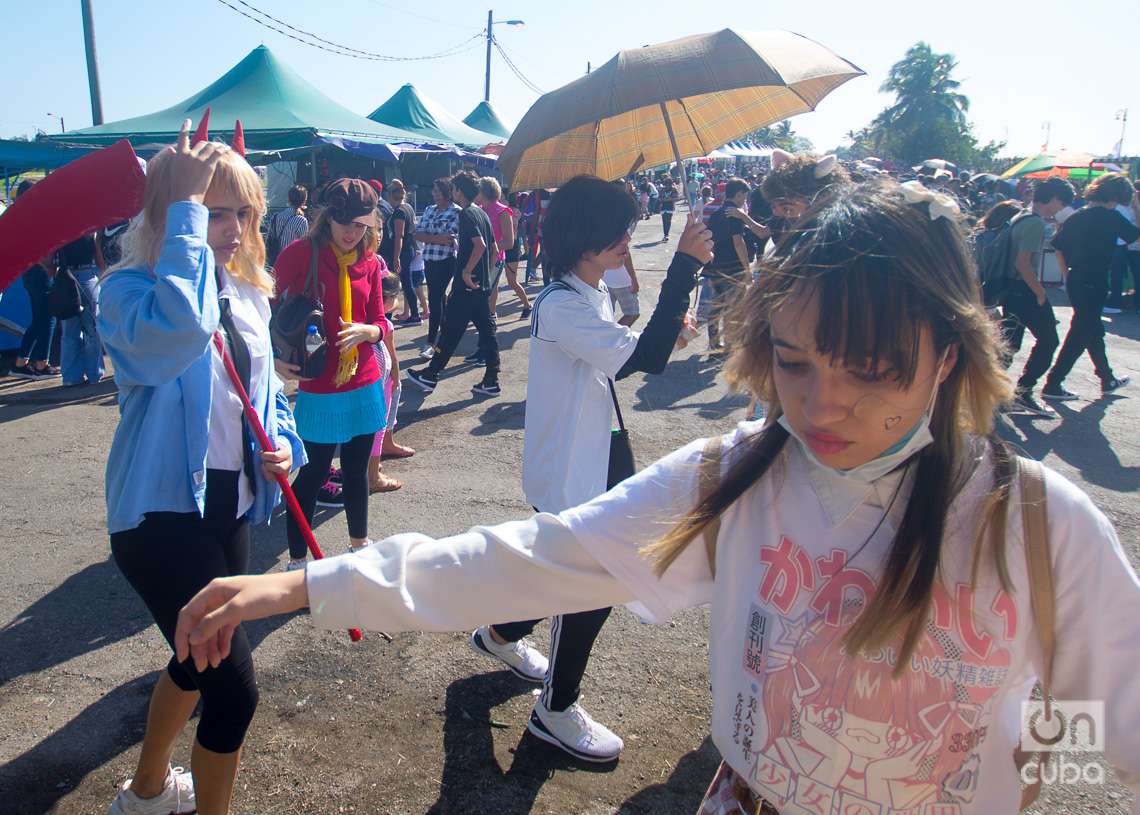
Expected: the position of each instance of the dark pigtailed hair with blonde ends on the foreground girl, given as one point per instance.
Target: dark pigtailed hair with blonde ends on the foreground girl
(884, 275)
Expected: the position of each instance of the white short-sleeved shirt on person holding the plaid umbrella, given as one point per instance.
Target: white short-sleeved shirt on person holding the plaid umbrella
(576, 347)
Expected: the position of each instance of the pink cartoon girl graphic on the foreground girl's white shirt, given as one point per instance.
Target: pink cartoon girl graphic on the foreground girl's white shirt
(854, 733)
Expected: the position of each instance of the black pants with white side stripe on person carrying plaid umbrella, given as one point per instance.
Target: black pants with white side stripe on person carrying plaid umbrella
(572, 640)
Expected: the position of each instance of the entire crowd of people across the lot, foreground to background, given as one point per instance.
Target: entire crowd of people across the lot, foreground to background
(850, 307)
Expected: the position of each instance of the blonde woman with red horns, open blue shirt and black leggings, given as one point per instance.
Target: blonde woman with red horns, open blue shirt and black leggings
(183, 490)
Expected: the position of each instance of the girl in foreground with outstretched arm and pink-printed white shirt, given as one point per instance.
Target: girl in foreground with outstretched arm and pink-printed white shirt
(872, 633)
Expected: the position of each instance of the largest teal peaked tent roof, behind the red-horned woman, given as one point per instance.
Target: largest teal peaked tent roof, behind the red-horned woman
(278, 107)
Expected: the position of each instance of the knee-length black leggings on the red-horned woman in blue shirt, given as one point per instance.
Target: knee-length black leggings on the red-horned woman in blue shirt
(167, 560)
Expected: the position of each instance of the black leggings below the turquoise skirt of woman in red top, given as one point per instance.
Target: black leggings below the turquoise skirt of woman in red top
(354, 482)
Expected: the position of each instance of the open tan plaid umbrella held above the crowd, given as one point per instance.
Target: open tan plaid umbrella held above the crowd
(680, 100)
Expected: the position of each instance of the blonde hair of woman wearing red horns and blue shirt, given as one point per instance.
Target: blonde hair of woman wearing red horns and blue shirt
(143, 241)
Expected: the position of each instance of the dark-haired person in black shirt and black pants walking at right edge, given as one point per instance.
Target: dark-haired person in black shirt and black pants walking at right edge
(1085, 247)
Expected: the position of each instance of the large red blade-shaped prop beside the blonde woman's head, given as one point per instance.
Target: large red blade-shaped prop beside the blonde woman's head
(102, 189)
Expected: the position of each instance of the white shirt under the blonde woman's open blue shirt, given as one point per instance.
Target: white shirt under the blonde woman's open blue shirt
(250, 309)
